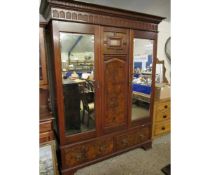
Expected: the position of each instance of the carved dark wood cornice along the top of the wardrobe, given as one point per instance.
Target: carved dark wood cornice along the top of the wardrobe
(96, 14)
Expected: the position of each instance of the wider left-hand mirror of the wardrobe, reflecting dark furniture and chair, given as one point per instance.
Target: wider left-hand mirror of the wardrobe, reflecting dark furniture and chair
(77, 57)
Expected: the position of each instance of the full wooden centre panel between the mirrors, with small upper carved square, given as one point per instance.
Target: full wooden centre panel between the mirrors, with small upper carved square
(115, 78)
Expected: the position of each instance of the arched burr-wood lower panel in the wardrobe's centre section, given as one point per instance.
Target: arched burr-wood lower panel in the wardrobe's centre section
(115, 82)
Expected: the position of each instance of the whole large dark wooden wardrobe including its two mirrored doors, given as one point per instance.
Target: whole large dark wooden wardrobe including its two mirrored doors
(94, 66)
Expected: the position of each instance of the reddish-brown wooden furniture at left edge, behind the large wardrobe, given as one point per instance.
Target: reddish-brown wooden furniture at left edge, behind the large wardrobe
(45, 117)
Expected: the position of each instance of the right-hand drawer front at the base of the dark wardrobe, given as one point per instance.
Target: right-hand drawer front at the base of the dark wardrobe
(132, 138)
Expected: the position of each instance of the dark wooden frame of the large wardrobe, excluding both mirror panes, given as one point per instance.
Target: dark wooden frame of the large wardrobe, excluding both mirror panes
(114, 31)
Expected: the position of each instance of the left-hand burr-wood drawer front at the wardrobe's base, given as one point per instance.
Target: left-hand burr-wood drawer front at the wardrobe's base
(85, 152)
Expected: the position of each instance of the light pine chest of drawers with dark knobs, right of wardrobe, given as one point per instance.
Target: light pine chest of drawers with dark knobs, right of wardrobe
(161, 117)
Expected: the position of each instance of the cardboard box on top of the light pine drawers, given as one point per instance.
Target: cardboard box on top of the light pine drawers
(162, 91)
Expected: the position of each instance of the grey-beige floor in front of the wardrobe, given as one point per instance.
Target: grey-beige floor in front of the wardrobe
(135, 162)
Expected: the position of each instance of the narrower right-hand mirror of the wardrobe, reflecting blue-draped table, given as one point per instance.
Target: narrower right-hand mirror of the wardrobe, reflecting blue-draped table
(142, 78)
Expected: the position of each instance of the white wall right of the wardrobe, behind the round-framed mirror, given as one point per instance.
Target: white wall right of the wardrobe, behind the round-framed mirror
(164, 32)
